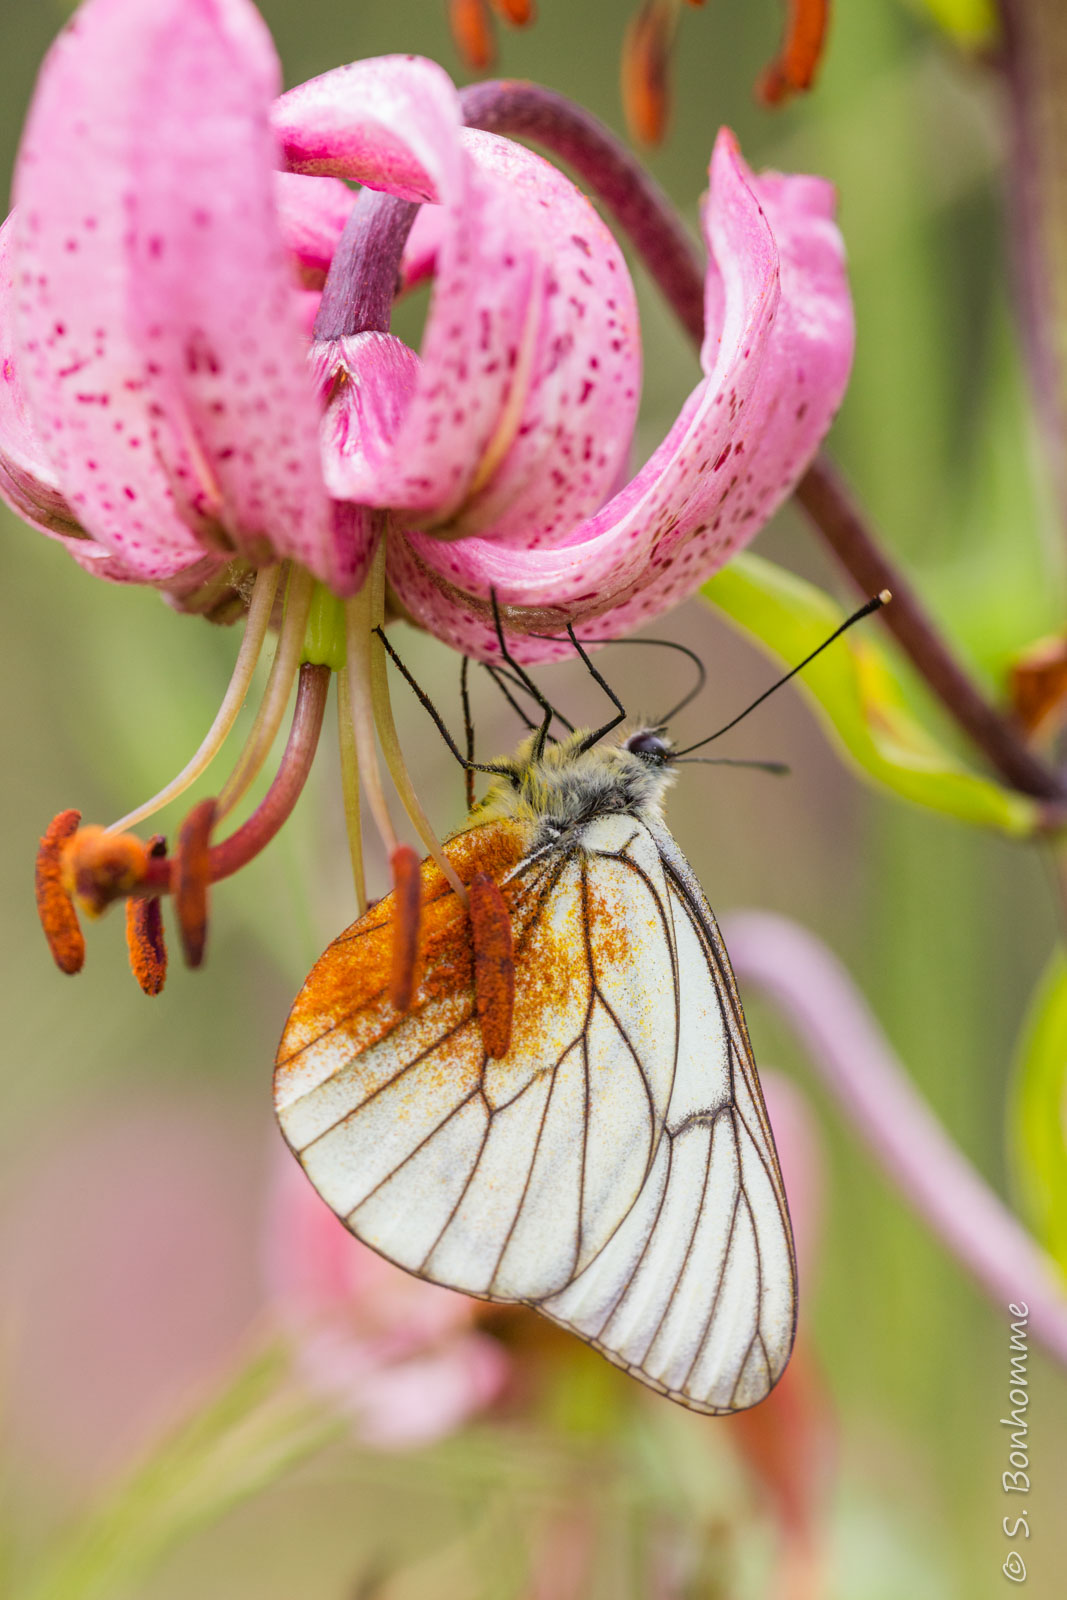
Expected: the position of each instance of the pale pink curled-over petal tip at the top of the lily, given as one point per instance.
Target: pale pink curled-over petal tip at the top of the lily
(390, 122)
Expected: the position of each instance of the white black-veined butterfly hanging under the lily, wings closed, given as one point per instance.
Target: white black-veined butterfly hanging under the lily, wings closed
(589, 1137)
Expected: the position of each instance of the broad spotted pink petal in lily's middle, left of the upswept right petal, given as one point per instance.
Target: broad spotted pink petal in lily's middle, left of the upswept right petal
(530, 367)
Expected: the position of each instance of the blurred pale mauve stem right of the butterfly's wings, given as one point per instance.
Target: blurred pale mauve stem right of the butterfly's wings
(855, 1062)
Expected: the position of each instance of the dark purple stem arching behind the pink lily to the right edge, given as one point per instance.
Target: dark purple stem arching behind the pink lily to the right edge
(674, 262)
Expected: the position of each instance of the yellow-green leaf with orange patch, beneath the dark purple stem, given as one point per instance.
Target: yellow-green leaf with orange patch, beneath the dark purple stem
(858, 697)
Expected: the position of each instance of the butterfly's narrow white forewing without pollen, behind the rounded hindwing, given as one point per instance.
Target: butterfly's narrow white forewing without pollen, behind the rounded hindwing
(695, 1294)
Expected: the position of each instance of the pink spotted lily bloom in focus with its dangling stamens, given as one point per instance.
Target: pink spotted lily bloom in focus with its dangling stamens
(201, 393)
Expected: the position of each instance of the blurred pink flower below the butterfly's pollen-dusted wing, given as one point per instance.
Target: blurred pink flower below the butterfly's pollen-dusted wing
(401, 1358)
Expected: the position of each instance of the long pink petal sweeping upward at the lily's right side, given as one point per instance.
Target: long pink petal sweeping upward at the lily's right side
(777, 358)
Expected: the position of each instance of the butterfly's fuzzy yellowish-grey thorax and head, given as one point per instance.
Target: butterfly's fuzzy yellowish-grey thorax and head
(567, 786)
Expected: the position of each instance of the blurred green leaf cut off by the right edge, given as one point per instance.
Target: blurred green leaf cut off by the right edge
(1039, 1111)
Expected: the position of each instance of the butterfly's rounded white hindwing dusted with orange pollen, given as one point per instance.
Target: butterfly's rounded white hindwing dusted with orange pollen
(500, 1178)
